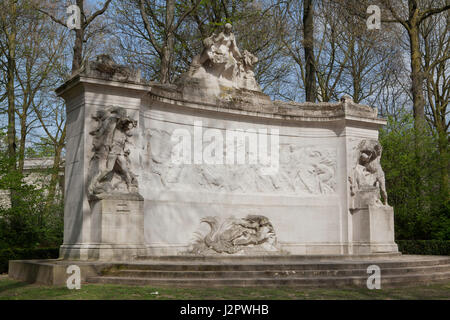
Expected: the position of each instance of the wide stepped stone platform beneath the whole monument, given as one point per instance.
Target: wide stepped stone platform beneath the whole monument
(243, 271)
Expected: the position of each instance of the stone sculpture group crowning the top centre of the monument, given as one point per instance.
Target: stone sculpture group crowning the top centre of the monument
(222, 61)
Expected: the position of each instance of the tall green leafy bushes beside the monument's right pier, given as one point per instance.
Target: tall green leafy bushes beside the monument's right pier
(414, 188)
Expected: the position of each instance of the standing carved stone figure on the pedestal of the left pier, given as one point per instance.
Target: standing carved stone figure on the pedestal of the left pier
(111, 154)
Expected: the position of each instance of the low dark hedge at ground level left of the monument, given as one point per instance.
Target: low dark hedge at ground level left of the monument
(24, 254)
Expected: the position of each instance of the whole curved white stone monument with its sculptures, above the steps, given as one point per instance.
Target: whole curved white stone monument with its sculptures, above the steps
(211, 166)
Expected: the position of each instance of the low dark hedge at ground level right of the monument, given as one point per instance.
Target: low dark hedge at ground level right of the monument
(428, 247)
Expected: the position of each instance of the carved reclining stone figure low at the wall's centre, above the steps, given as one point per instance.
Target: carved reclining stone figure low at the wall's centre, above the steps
(231, 235)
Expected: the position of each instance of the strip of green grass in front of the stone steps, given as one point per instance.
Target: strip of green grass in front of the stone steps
(16, 290)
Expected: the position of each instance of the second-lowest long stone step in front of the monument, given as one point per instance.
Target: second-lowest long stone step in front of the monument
(280, 273)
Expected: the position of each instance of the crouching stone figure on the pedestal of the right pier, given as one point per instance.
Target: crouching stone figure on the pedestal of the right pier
(368, 174)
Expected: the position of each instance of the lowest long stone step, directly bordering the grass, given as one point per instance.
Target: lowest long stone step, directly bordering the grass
(358, 281)
